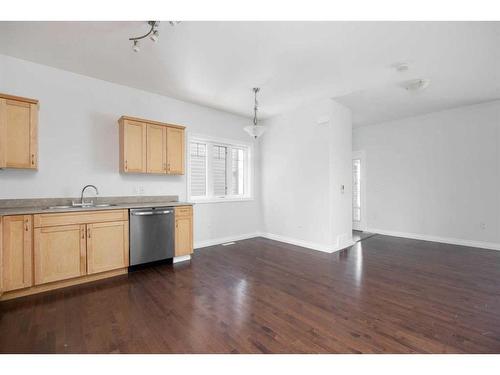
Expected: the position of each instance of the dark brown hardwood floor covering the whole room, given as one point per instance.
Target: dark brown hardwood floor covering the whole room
(383, 295)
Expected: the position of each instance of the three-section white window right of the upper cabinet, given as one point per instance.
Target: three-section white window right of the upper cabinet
(218, 171)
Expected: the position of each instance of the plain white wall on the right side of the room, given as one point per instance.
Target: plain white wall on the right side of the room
(436, 176)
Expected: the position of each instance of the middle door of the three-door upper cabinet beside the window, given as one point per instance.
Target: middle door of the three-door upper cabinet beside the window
(156, 149)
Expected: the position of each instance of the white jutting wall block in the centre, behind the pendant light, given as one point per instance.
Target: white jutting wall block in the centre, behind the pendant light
(303, 165)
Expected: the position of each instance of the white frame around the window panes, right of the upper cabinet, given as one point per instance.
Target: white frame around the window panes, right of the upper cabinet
(229, 144)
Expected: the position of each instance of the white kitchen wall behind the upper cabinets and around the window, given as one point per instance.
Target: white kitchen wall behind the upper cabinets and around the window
(78, 143)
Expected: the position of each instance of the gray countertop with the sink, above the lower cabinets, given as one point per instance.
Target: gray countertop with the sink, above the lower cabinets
(40, 206)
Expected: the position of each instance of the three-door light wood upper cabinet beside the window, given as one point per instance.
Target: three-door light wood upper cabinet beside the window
(148, 146)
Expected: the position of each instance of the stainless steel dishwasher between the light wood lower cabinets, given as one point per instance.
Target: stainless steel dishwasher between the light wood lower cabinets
(152, 234)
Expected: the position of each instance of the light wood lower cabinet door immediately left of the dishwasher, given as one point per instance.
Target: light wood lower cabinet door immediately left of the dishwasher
(107, 246)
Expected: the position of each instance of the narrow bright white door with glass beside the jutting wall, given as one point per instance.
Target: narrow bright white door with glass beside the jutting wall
(358, 191)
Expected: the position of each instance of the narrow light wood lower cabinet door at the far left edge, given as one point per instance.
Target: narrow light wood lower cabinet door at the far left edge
(16, 253)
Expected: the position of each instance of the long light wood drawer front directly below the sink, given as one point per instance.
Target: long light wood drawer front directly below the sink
(72, 218)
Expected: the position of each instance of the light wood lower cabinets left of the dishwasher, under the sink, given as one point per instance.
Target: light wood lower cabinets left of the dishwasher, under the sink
(53, 250)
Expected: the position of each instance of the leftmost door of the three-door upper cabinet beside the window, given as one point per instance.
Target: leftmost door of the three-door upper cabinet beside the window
(133, 147)
